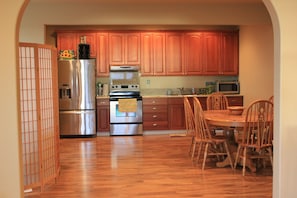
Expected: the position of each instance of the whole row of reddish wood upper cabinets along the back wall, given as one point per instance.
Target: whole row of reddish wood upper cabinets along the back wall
(171, 53)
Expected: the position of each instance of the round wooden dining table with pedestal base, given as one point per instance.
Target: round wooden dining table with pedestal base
(233, 125)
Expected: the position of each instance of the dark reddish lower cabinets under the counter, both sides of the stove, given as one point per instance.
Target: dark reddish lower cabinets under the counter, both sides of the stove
(159, 113)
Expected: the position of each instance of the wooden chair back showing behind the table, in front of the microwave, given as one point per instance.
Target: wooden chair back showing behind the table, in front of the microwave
(216, 101)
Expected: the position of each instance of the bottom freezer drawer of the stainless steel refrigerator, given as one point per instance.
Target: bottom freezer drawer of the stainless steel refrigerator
(77, 122)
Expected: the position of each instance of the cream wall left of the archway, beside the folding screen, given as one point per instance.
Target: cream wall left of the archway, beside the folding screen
(11, 184)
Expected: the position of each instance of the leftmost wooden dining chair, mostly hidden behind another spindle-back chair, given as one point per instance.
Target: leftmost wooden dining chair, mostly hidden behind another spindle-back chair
(190, 124)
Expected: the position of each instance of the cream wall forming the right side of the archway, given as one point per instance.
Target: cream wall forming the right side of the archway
(285, 101)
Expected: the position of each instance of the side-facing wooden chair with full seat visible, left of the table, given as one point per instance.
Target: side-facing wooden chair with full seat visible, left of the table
(213, 146)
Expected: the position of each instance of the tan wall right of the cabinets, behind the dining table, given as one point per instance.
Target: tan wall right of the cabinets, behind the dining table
(256, 62)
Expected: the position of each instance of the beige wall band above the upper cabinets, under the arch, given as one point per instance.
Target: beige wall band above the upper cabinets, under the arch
(114, 12)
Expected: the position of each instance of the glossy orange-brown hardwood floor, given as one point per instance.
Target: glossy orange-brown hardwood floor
(146, 166)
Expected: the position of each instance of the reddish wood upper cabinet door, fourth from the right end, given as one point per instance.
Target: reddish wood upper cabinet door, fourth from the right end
(174, 53)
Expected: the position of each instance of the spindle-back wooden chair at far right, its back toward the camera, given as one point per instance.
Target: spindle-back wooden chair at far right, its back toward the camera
(256, 142)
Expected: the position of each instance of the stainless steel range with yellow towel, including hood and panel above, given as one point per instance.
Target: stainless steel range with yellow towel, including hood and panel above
(125, 101)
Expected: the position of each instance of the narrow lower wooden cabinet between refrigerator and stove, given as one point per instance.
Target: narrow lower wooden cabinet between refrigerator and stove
(103, 115)
